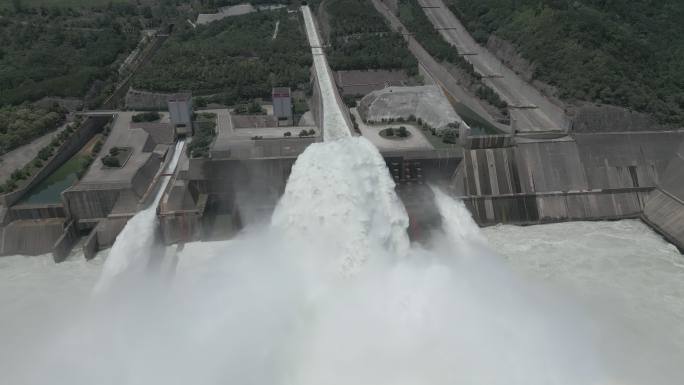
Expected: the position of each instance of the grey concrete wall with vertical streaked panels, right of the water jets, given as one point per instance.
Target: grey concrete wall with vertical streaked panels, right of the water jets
(580, 177)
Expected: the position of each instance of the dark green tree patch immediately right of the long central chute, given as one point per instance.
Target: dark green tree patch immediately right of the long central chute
(361, 39)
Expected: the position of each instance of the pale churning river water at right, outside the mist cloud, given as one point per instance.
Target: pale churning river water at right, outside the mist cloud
(627, 276)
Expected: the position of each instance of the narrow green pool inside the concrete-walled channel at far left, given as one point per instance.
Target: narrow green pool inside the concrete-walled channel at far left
(49, 189)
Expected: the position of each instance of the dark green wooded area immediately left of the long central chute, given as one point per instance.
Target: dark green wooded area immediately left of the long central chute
(236, 56)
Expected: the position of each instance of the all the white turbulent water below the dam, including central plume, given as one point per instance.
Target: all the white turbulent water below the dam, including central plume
(332, 292)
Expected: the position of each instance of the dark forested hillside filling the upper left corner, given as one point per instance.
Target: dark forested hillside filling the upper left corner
(59, 49)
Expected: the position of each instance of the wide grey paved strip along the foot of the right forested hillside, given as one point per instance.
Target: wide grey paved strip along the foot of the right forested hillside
(530, 110)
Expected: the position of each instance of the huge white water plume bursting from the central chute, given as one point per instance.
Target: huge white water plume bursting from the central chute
(341, 194)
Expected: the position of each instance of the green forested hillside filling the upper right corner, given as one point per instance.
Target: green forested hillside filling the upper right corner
(628, 53)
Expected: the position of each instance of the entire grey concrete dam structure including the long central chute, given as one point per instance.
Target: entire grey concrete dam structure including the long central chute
(586, 173)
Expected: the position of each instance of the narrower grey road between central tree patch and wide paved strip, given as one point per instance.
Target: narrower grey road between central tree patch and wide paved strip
(436, 71)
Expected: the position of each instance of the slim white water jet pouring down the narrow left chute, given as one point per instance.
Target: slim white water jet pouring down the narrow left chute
(131, 252)
